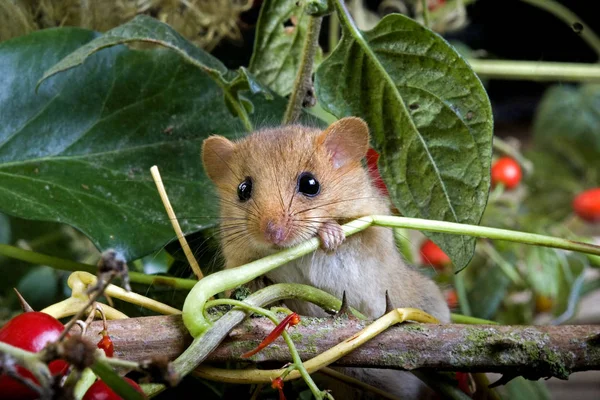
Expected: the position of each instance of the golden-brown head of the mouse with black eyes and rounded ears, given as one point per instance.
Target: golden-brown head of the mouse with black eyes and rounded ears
(277, 186)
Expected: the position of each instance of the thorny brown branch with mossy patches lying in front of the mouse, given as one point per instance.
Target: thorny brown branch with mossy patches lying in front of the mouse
(533, 351)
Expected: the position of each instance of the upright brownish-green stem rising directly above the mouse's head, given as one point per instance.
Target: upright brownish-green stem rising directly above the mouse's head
(303, 80)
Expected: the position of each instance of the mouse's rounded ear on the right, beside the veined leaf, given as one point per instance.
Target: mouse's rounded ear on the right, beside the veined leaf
(347, 140)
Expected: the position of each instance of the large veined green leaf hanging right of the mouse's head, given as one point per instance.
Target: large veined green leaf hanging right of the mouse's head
(429, 115)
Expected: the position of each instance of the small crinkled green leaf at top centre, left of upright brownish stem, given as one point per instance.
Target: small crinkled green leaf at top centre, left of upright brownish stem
(280, 35)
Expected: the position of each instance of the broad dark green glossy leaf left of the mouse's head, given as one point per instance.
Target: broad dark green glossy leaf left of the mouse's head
(79, 150)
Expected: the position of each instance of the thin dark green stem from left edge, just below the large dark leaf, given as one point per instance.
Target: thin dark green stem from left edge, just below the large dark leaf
(68, 265)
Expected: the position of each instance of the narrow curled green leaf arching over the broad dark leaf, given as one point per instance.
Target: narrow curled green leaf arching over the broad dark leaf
(146, 29)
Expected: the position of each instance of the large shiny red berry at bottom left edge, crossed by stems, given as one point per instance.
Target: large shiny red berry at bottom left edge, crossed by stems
(29, 331)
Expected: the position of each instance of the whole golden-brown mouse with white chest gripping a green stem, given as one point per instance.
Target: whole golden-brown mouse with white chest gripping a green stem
(279, 187)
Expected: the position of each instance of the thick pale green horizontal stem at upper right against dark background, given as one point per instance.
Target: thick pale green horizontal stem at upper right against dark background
(535, 70)
